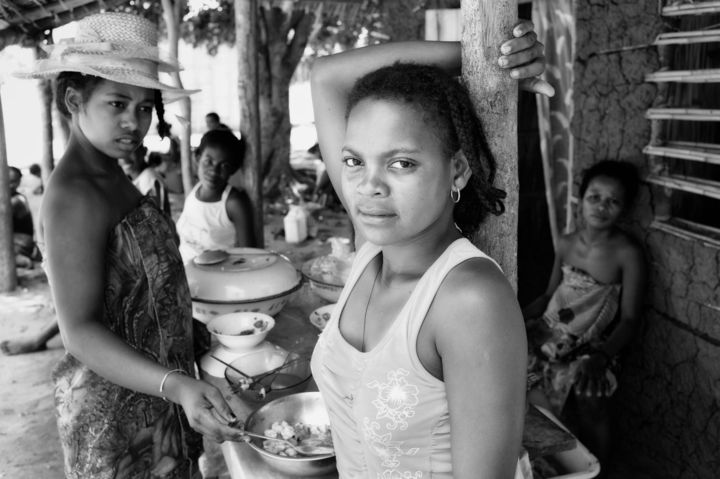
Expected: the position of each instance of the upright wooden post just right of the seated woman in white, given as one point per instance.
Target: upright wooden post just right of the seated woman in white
(246, 35)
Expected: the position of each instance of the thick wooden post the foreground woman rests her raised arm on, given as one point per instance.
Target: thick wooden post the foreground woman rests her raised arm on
(494, 94)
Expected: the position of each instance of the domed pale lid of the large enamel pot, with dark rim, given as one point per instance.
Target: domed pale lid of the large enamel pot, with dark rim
(243, 274)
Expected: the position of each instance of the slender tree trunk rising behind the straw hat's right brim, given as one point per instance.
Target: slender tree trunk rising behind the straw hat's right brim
(172, 11)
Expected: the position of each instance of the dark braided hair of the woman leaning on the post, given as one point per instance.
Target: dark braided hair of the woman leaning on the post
(446, 106)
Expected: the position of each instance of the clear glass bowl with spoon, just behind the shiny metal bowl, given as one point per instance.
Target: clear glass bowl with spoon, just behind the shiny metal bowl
(291, 379)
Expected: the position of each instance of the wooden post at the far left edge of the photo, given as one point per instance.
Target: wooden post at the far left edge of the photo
(8, 275)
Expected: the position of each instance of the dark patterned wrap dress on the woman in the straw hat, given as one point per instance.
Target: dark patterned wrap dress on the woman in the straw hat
(108, 431)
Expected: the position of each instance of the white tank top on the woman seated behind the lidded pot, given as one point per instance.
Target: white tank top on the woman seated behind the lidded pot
(204, 226)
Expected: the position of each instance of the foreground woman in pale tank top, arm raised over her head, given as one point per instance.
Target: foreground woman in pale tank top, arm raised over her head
(422, 365)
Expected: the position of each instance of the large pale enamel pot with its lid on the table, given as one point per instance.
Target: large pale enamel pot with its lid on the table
(240, 279)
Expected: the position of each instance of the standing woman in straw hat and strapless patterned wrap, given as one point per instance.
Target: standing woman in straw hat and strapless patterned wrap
(128, 403)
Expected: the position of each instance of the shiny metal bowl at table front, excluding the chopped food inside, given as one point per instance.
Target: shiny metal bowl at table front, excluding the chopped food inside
(308, 408)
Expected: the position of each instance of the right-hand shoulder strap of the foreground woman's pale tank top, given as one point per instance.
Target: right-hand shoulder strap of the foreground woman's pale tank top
(422, 297)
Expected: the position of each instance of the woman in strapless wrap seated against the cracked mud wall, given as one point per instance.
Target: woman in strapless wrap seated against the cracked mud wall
(590, 308)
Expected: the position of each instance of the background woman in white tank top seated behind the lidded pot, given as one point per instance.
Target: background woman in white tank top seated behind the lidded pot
(216, 215)
